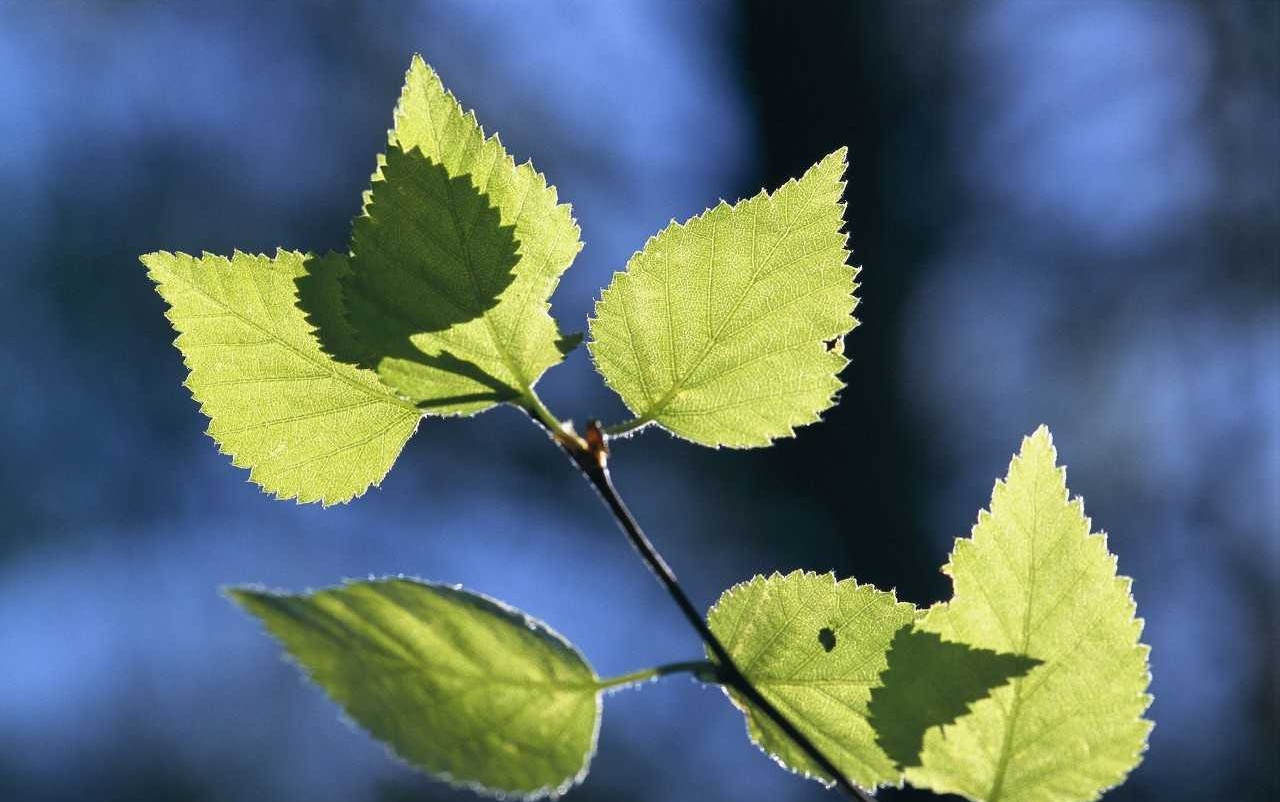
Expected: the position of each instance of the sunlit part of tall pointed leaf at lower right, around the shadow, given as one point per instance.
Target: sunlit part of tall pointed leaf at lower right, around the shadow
(1034, 581)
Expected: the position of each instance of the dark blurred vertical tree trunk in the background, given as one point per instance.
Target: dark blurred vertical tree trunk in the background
(822, 80)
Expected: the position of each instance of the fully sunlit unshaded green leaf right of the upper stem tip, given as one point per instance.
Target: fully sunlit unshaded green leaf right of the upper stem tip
(729, 329)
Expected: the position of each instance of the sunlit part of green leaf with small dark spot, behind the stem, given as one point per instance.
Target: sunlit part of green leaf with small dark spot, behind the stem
(816, 649)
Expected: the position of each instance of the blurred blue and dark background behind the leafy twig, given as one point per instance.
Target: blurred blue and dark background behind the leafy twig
(1067, 213)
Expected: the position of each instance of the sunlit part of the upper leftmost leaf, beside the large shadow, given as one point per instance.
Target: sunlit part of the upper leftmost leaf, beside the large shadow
(307, 427)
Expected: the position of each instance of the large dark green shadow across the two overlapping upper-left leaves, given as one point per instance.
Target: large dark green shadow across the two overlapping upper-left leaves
(429, 255)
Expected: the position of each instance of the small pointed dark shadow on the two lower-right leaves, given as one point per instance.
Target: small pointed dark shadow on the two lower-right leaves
(932, 682)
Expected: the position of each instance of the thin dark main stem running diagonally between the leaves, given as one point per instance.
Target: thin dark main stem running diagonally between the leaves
(593, 461)
